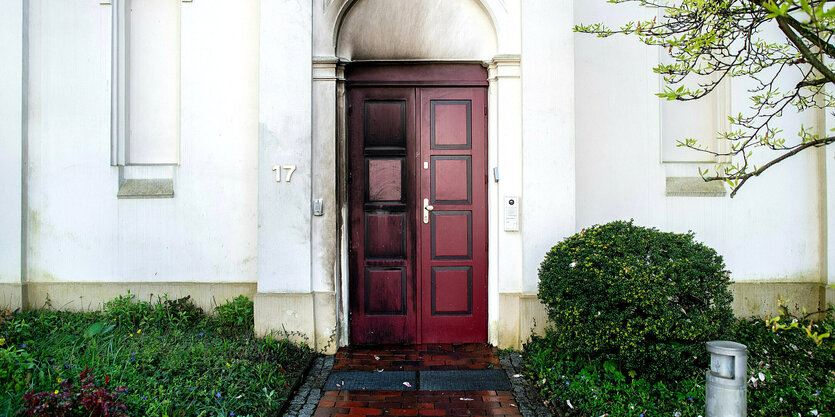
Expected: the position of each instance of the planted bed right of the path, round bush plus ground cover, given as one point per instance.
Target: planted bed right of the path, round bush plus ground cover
(630, 309)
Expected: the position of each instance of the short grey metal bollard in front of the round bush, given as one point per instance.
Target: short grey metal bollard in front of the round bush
(727, 385)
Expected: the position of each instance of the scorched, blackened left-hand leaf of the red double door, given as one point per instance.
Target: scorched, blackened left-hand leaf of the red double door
(381, 125)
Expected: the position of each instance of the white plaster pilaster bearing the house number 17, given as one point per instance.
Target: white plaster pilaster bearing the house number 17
(284, 115)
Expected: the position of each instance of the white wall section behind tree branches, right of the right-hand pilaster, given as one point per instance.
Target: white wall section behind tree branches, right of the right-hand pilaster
(770, 231)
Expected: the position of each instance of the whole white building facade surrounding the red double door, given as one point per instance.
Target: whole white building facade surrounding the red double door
(574, 129)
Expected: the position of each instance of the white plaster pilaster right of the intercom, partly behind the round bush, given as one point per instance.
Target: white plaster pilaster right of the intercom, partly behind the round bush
(547, 131)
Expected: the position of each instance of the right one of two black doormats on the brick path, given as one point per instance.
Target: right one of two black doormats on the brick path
(480, 380)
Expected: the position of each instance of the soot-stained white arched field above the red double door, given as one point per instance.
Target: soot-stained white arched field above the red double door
(463, 30)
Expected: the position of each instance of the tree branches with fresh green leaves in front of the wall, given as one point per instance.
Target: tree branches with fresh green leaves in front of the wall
(709, 41)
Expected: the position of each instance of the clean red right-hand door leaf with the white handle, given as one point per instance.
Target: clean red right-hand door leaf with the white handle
(453, 243)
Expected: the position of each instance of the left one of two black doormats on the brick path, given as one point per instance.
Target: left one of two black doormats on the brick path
(372, 381)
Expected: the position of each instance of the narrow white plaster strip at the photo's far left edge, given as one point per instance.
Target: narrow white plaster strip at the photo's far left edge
(11, 81)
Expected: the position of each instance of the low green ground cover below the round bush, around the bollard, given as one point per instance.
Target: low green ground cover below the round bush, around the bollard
(789, 375)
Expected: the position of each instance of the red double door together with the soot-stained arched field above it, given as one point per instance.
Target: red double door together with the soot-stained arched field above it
(416, 275)
